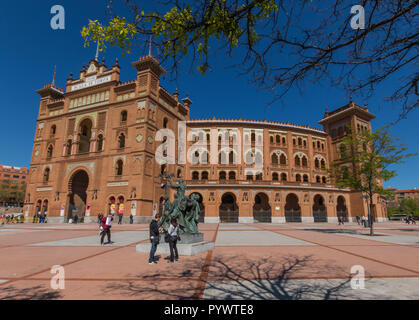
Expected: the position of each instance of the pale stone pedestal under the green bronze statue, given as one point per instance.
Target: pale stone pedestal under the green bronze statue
(188, 245)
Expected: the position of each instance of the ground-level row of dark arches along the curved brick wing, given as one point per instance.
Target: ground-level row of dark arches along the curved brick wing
(272, 206)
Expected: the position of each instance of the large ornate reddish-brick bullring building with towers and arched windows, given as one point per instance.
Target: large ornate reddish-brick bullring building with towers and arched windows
(95, 147)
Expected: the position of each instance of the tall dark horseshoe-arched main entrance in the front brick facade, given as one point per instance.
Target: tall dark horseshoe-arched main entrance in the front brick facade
(78, 184)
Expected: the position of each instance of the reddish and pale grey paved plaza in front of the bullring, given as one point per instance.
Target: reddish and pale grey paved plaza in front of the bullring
(249, 261)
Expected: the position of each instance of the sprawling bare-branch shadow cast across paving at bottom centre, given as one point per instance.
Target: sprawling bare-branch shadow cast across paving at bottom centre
(237, 277)
